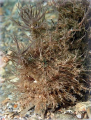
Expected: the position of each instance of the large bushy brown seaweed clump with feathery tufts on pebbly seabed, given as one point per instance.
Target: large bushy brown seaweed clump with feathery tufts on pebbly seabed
(50, 69)
